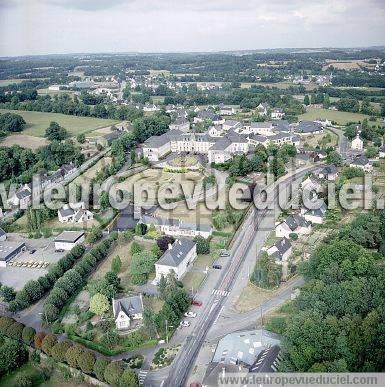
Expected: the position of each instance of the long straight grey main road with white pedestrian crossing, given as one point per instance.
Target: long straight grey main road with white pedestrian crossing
(185, 359)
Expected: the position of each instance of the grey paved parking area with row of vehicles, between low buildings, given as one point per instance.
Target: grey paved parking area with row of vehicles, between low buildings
(30, 264)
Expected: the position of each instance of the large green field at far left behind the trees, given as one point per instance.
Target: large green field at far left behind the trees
(38, 122)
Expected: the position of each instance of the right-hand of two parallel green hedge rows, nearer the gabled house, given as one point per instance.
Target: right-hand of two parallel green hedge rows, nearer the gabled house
(73, 279)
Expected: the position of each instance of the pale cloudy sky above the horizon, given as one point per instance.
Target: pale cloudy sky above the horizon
(29, 27)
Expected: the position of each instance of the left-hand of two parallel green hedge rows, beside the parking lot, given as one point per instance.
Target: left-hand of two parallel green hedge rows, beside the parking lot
(35, 289)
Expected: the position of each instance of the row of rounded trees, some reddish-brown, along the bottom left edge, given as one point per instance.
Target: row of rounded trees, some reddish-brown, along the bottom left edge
(73, 354)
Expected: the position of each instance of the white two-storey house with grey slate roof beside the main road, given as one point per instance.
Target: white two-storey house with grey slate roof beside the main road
(177, 259)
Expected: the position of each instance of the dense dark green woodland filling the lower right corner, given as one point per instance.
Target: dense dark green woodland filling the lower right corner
(337, 322)
